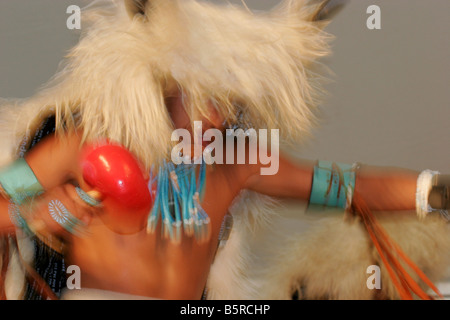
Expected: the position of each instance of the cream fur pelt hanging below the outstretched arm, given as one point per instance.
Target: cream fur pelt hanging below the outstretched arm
(319, 256)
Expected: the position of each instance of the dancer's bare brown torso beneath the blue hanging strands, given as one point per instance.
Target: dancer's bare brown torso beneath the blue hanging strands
(148, 265)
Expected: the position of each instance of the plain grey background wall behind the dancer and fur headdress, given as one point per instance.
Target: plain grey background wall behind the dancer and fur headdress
(388, 104)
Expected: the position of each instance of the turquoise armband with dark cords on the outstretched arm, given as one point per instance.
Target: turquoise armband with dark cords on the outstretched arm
(332, 184)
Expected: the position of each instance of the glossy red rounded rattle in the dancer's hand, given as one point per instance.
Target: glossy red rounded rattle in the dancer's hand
(119, 183)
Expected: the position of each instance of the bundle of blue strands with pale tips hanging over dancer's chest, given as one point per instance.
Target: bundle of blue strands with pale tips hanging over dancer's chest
(178, 198)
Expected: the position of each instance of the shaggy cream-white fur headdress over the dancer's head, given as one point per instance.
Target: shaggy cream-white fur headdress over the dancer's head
(258, 65)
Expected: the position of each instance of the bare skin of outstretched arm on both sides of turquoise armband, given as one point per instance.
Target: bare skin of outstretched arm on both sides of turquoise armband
(382, 188)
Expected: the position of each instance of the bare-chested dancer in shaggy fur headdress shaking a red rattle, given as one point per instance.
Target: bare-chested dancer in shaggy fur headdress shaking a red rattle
(146, 68)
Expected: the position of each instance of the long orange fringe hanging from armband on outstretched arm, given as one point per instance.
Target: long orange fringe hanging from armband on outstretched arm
(392, 256)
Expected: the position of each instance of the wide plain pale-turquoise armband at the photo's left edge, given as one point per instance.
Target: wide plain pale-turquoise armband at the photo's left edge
(19, 182)
